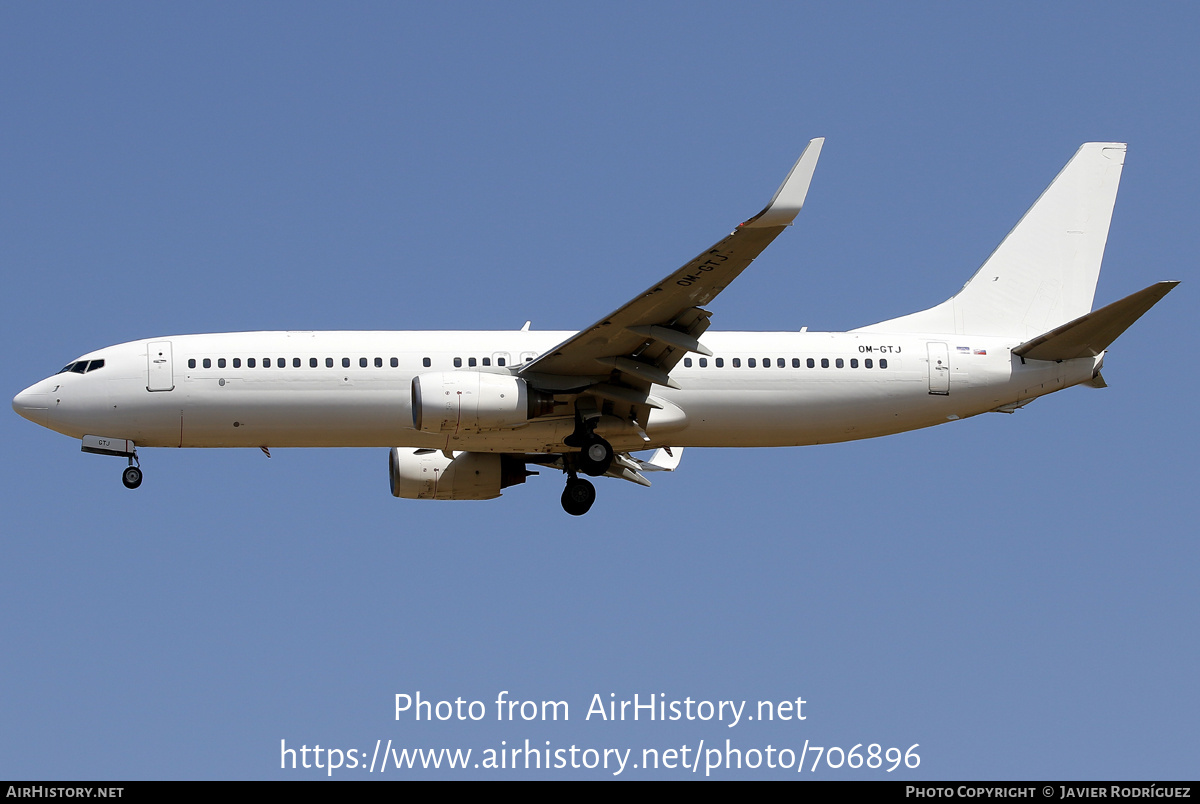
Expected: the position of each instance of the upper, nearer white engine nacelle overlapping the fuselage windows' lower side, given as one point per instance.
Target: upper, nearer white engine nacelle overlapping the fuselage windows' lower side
(467, 401)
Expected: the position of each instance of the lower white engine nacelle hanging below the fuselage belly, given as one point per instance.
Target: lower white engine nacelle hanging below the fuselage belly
(429, 475)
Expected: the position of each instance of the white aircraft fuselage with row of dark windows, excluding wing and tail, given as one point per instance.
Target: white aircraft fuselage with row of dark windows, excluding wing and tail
(343, 389)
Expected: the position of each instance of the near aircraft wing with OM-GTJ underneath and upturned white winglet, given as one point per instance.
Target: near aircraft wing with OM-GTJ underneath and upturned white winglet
(640, 344)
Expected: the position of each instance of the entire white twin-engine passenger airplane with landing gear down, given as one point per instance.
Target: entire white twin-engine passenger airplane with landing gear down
(467, 413)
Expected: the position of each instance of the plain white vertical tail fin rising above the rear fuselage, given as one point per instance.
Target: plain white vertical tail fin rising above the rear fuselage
(1045, 273)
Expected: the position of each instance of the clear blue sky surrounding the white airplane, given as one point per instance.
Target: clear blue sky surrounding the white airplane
(1016, 595)
